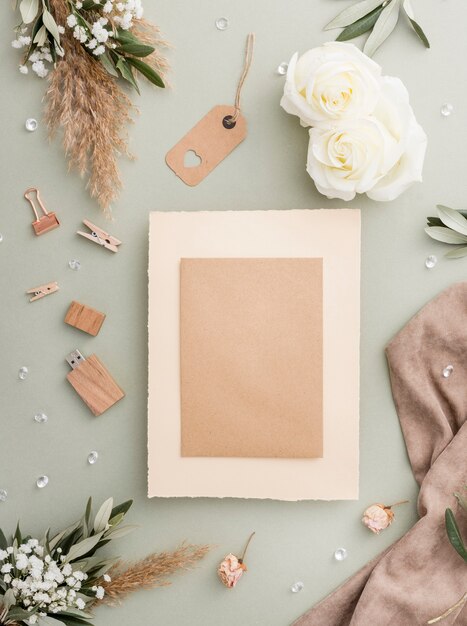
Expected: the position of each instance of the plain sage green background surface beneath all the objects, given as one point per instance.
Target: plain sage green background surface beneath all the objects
(294, 541)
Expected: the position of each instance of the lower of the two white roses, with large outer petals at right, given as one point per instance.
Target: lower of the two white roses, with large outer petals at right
(381, 154)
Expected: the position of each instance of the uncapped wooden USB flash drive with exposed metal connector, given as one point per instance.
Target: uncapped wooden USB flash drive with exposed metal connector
(92, 382)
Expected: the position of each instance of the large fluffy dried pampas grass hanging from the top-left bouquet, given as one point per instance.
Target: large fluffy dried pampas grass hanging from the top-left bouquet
(92, 110)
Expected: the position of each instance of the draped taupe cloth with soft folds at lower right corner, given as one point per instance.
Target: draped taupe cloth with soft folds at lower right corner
(421, 575)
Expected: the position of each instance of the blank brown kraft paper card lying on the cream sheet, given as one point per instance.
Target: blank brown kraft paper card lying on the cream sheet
(251, 335)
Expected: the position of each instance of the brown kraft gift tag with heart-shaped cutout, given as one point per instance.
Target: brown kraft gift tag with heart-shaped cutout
(207, 144)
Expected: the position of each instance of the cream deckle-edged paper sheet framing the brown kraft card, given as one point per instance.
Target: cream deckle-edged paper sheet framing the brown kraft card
(334, 236)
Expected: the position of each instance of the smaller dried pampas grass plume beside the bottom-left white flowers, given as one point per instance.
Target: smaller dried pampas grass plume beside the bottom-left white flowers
(152, 571)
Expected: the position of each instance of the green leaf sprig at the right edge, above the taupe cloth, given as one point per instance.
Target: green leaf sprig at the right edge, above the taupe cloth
(450, 226)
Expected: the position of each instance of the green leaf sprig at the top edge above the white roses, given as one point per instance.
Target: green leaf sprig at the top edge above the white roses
(378, 16)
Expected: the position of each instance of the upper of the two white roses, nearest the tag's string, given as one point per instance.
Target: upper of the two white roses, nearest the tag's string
(335, 81)
